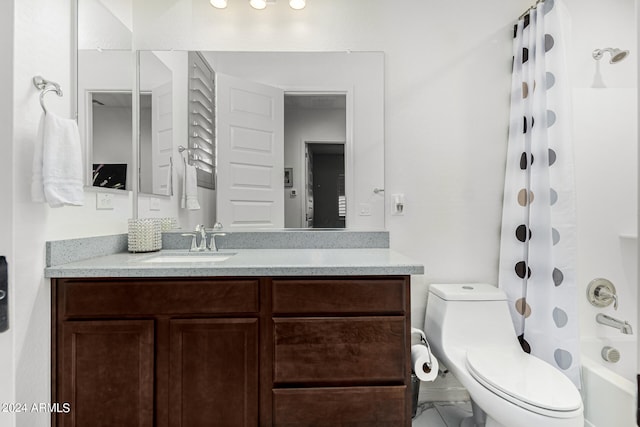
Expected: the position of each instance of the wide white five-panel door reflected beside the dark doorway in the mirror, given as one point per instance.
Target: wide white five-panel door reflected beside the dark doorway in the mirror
(250, 154)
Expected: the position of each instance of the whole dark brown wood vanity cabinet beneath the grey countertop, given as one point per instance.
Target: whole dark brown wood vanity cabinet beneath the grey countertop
(173, 352)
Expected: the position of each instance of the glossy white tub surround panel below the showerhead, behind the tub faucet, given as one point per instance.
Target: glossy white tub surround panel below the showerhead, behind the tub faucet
(606, 153)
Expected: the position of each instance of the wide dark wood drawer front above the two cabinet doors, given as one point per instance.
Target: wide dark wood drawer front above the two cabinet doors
(113, 298)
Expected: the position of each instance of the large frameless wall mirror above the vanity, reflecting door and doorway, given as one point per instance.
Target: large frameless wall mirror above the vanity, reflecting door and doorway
(297, 137)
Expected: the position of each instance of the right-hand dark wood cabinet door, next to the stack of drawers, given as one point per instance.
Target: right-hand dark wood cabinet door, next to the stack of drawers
(213, 376)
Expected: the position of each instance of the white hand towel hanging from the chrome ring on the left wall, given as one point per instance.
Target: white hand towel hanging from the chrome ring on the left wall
(57, 163)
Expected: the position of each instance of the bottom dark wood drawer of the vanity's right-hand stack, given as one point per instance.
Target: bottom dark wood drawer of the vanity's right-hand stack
(341, 406)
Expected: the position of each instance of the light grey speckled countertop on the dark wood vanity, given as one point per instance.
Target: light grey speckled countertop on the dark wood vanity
(244, 262)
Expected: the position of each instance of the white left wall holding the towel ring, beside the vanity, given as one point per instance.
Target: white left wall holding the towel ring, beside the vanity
(42, 41)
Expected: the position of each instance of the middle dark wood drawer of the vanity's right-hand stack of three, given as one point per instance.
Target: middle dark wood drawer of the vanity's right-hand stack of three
(339, 350)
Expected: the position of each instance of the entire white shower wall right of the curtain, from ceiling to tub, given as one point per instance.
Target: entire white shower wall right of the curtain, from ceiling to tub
(606, 153)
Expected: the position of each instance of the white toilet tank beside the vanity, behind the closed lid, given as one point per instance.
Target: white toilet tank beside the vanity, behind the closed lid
(461, 316)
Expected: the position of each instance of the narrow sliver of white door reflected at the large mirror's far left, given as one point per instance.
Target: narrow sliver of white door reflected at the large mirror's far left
(162, 137)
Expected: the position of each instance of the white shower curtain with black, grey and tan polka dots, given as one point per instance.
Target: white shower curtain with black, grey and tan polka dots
(537, 254)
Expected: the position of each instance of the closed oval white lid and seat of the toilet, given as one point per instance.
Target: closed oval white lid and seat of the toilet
(522, 378)
